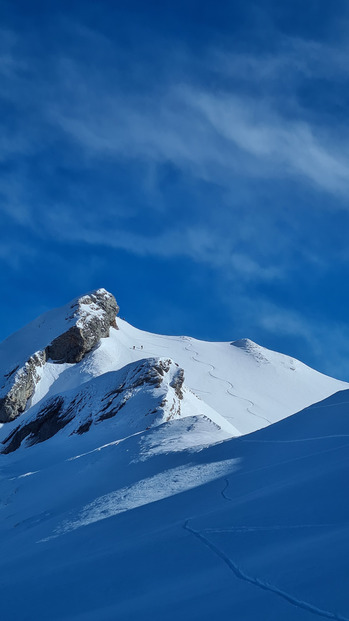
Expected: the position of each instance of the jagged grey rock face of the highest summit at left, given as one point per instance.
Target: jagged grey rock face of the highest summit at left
(94, 314)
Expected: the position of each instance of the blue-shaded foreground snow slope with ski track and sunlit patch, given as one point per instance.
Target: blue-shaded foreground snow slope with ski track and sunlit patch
(252, 528)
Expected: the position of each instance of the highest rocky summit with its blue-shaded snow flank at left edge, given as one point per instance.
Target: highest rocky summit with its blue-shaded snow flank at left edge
(64, 335)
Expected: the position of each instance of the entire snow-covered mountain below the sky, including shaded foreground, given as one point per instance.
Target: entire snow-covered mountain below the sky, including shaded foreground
(129, 488)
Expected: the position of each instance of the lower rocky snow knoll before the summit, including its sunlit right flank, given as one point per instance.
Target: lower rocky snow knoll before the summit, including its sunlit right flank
(139, 396)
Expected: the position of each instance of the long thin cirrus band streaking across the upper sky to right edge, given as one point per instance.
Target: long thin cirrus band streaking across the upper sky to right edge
(213, 136)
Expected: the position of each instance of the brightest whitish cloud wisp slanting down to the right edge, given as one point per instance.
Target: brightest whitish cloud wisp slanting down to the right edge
(277, 146)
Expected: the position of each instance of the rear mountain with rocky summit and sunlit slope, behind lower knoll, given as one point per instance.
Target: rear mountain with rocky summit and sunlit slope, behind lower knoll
(250, 386)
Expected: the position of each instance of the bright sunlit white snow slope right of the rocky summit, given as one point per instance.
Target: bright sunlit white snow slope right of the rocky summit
(247, 384)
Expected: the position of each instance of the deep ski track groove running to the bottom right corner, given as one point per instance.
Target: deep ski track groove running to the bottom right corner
(258, 582)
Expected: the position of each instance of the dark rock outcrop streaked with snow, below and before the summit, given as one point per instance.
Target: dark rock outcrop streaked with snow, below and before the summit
(159, 383)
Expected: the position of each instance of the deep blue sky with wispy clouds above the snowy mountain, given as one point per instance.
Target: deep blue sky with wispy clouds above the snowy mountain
(191, 157)
